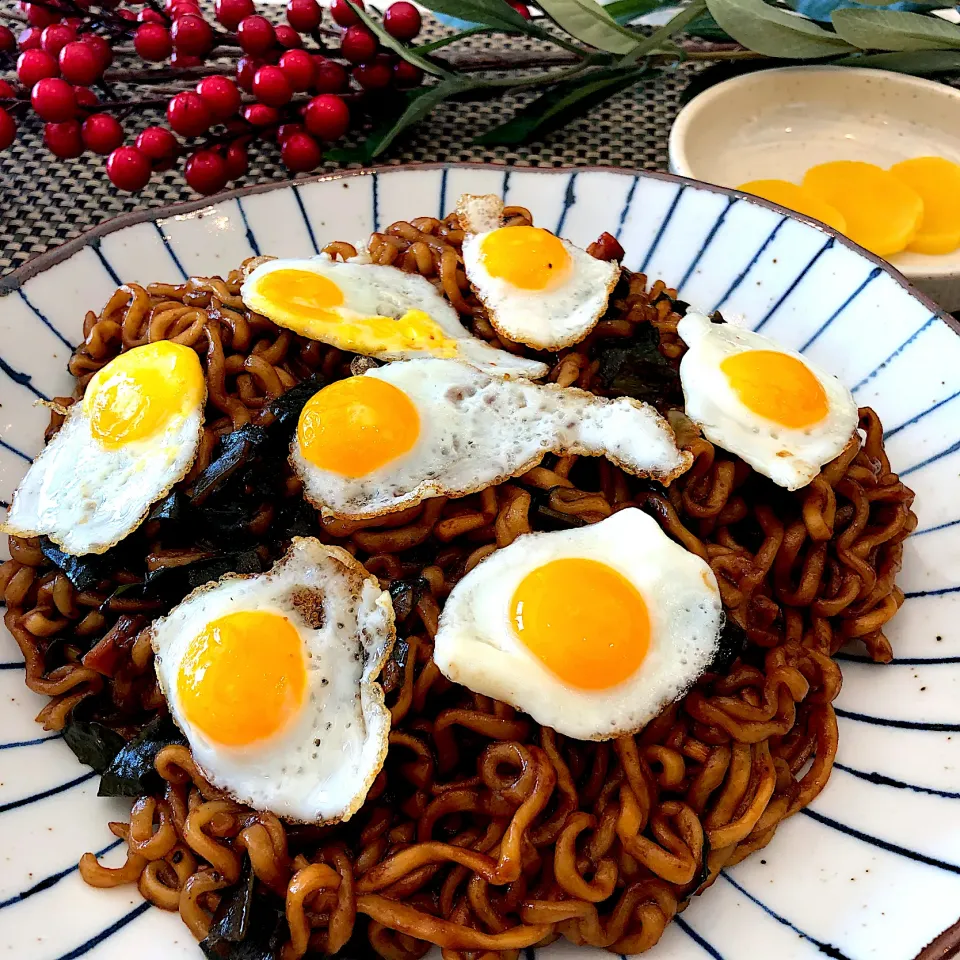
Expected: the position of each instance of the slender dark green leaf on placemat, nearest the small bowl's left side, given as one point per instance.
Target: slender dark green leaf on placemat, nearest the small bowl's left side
(561, 103)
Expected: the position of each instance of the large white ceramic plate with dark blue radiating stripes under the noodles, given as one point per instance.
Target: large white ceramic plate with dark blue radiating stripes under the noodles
(872, 868)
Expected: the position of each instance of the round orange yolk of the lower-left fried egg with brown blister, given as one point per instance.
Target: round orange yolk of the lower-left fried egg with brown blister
(243, 677)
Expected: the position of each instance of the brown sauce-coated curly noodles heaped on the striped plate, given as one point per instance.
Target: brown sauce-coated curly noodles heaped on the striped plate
(541, 837)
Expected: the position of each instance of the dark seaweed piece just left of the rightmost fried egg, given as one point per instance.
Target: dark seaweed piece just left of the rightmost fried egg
(636, 368)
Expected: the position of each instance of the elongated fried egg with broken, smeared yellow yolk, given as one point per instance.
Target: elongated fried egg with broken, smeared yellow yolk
(375, 310)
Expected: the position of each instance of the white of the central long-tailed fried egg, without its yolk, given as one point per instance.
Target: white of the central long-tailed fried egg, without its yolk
(429, 380)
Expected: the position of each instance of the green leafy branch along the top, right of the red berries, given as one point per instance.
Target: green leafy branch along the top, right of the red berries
(585, 53)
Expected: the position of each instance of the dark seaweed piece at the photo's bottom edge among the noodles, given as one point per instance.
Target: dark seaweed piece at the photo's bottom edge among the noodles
(245, 927)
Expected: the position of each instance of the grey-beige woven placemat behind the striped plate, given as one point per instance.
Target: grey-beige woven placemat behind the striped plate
(45, 201)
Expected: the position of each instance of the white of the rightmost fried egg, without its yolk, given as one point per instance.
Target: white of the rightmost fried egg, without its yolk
(710, 402)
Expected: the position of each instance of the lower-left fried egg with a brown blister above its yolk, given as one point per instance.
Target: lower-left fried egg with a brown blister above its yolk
(272, 678)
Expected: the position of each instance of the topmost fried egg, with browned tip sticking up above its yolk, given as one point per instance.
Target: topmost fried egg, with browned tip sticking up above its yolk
(538, 289)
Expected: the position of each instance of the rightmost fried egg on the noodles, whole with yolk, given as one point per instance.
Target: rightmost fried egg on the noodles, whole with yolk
(772, 407)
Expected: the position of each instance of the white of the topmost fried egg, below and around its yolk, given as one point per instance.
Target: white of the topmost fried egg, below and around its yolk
(532, 317)
